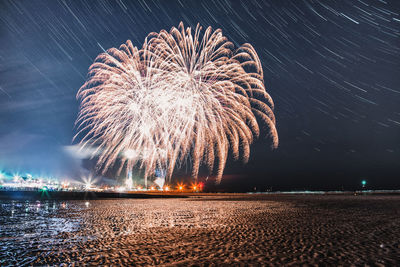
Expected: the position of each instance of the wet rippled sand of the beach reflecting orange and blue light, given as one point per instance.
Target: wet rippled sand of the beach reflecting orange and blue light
(233, 230)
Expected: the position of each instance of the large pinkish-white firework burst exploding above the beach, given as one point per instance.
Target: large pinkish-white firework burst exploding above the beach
(183, 97)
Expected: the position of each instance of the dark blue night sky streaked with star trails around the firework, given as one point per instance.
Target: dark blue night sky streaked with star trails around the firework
(332, 68)
